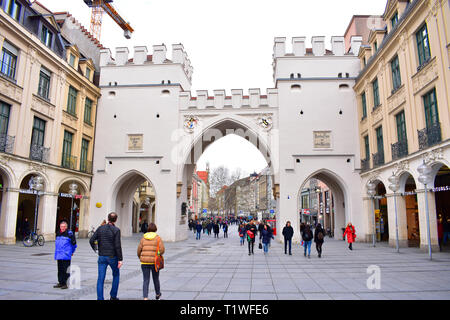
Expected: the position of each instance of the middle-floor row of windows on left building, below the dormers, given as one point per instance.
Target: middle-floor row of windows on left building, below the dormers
(8, 68)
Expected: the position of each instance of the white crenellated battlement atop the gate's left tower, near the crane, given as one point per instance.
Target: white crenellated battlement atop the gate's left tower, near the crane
(141, 56)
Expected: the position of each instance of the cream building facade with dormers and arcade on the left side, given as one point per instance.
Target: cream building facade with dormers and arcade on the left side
(48, 104)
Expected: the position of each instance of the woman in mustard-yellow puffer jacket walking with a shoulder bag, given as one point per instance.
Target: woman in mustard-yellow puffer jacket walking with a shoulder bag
(147, 251)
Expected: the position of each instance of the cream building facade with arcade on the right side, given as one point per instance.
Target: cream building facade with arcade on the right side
(404, 119)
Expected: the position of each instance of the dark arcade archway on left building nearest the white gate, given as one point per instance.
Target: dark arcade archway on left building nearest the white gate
(72, 209)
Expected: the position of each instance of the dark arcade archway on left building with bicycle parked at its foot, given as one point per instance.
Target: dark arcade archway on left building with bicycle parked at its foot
(30, 206)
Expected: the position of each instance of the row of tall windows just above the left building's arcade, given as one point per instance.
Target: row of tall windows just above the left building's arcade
(38, 137)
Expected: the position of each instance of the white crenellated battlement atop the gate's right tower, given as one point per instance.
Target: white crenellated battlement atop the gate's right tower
(299, 48)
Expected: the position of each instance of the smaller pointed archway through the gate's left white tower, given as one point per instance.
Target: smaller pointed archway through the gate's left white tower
(128, 189)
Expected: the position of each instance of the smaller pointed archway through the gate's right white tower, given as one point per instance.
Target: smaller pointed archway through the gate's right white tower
(324, 192)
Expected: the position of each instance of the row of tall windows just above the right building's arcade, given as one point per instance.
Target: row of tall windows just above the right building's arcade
(431, 120)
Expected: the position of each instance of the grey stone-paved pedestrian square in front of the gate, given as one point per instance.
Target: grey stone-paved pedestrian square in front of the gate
(222, 269)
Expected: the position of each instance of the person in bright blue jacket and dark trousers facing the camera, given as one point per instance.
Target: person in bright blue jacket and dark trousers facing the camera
(65, 246)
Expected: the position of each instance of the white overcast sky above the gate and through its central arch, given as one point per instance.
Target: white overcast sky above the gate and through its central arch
(229, 43)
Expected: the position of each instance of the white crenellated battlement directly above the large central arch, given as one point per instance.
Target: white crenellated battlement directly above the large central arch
(220, 100)
